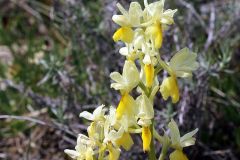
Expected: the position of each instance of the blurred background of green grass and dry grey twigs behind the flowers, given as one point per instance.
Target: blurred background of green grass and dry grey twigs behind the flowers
(55, 61)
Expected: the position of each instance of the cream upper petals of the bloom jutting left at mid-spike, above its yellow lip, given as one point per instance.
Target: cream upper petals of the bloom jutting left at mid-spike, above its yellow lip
(129, 78)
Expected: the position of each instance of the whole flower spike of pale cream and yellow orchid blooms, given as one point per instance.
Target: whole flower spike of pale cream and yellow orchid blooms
(141, 29)
